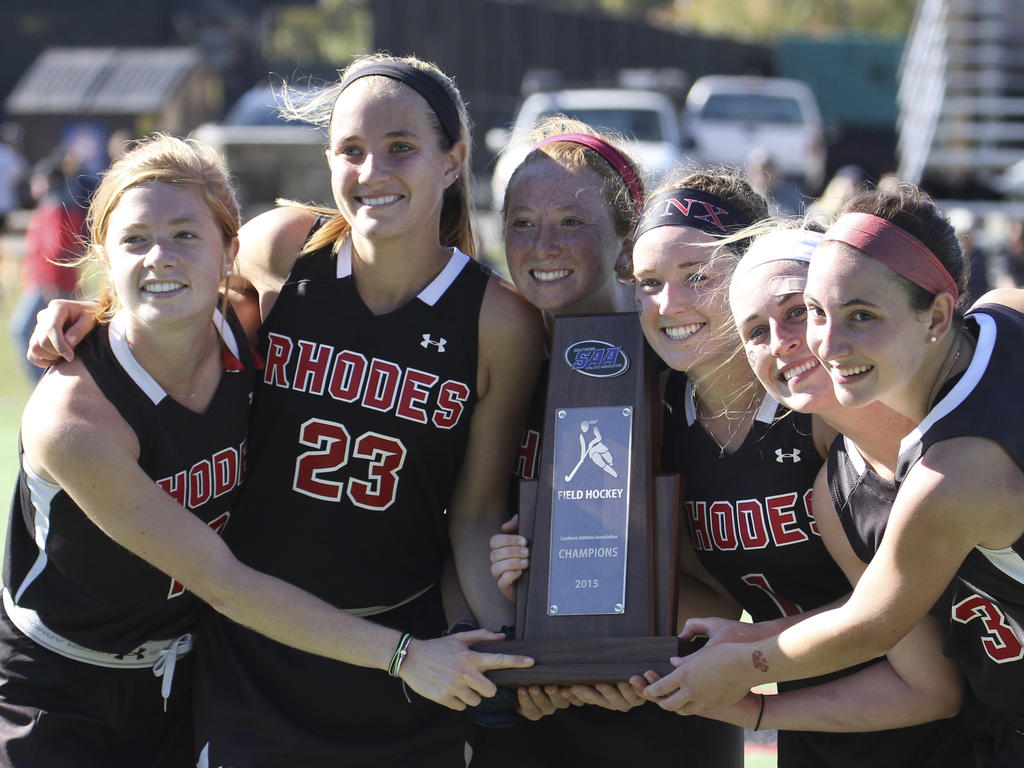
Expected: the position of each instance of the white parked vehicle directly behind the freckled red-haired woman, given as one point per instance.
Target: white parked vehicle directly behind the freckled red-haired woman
(649, 120)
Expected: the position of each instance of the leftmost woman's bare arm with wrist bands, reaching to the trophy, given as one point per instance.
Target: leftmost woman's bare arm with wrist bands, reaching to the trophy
(75, 438)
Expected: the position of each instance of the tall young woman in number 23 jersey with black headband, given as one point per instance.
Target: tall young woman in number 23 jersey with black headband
(398, 372)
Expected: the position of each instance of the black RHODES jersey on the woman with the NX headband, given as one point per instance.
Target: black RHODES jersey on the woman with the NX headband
(750, 514)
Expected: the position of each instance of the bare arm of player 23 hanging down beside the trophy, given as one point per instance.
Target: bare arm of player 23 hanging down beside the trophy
(511, 348)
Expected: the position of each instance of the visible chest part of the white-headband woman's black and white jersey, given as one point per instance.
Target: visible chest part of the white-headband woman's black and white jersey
(863, 498)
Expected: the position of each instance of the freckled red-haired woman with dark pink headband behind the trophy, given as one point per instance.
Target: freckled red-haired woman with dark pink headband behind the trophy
(570, 211)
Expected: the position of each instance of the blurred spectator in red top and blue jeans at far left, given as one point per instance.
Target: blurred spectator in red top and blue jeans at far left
(53, 245)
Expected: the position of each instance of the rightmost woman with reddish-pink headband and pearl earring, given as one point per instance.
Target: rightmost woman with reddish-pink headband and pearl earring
(882, 294)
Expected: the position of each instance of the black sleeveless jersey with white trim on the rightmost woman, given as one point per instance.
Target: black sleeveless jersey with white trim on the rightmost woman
(986, 608)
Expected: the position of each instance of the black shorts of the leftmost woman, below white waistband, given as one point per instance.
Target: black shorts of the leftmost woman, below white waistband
(60, 713)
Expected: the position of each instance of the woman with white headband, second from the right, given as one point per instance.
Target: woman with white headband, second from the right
(916, 685)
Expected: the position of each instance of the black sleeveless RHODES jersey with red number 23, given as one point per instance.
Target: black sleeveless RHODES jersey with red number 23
(359, 432)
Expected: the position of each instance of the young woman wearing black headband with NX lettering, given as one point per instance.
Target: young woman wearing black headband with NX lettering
(748, 466)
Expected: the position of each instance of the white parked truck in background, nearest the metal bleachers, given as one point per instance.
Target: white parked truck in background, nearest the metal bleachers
(730, 116)
